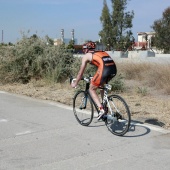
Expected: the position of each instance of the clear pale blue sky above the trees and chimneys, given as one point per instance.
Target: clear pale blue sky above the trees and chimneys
(48, 17)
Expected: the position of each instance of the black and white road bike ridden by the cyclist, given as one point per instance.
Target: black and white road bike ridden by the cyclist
(117, 116)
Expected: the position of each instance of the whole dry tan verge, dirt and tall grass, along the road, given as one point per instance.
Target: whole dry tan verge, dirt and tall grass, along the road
(147, 91)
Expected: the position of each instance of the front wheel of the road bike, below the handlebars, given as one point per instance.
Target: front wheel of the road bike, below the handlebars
(83, 108)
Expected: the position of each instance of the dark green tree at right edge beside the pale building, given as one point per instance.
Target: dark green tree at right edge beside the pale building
(162, 32)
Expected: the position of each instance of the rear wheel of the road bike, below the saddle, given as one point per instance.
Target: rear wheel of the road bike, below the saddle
(118, 121)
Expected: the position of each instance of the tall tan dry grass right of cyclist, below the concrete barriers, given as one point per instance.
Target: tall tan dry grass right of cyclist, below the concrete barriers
(154, 75)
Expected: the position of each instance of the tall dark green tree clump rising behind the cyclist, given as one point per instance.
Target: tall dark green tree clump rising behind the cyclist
(117, 25)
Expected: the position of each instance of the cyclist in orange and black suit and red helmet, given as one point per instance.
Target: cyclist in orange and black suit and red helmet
(105, 72)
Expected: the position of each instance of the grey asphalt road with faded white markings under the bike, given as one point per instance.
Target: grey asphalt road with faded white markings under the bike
(43, 135)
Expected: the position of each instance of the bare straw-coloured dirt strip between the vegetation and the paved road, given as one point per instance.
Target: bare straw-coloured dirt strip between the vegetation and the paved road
(153, 108)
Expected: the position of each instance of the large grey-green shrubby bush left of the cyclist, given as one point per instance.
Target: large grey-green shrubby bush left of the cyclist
(33, 58)
